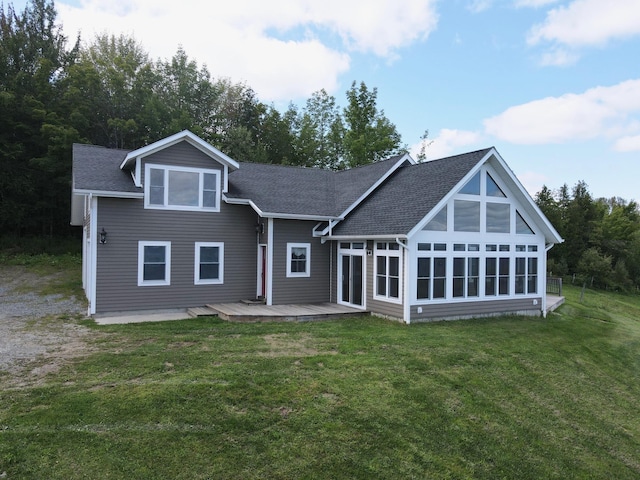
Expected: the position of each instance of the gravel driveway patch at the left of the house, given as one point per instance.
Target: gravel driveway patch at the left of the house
(37, 332)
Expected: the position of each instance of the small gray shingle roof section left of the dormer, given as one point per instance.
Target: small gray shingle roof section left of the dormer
(98, 169)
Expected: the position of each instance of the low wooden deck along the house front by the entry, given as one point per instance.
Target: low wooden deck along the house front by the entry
(242, 312)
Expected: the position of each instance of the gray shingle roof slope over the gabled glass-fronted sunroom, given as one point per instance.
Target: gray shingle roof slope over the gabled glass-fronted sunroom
(408, 196)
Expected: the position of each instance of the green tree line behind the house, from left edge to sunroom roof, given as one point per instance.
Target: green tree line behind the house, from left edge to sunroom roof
(55, 92)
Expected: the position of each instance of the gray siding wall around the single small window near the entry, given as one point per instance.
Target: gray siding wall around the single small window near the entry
(313, 289)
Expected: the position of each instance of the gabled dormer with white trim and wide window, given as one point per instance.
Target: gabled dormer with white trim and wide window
(180, 172)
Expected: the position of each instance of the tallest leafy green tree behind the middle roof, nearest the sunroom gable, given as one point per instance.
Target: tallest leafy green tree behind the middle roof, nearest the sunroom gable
(369, 136)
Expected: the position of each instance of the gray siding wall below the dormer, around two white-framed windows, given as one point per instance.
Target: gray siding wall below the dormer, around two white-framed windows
(127, 222)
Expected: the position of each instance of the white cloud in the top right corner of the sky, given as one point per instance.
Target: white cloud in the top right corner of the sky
(588, 23)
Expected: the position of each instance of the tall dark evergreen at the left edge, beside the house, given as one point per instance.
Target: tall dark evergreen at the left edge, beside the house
(35, 137)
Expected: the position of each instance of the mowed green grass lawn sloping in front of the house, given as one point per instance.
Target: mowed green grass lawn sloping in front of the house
(506, 397)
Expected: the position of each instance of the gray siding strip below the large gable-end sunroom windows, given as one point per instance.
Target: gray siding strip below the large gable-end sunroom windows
(476, 309)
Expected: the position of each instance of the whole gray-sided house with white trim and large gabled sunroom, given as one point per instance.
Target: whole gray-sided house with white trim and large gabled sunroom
(178, 224)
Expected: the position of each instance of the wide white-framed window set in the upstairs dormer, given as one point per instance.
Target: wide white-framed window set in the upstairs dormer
(181, 188)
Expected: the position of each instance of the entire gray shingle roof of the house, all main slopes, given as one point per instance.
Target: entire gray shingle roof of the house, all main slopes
(394, 208)
